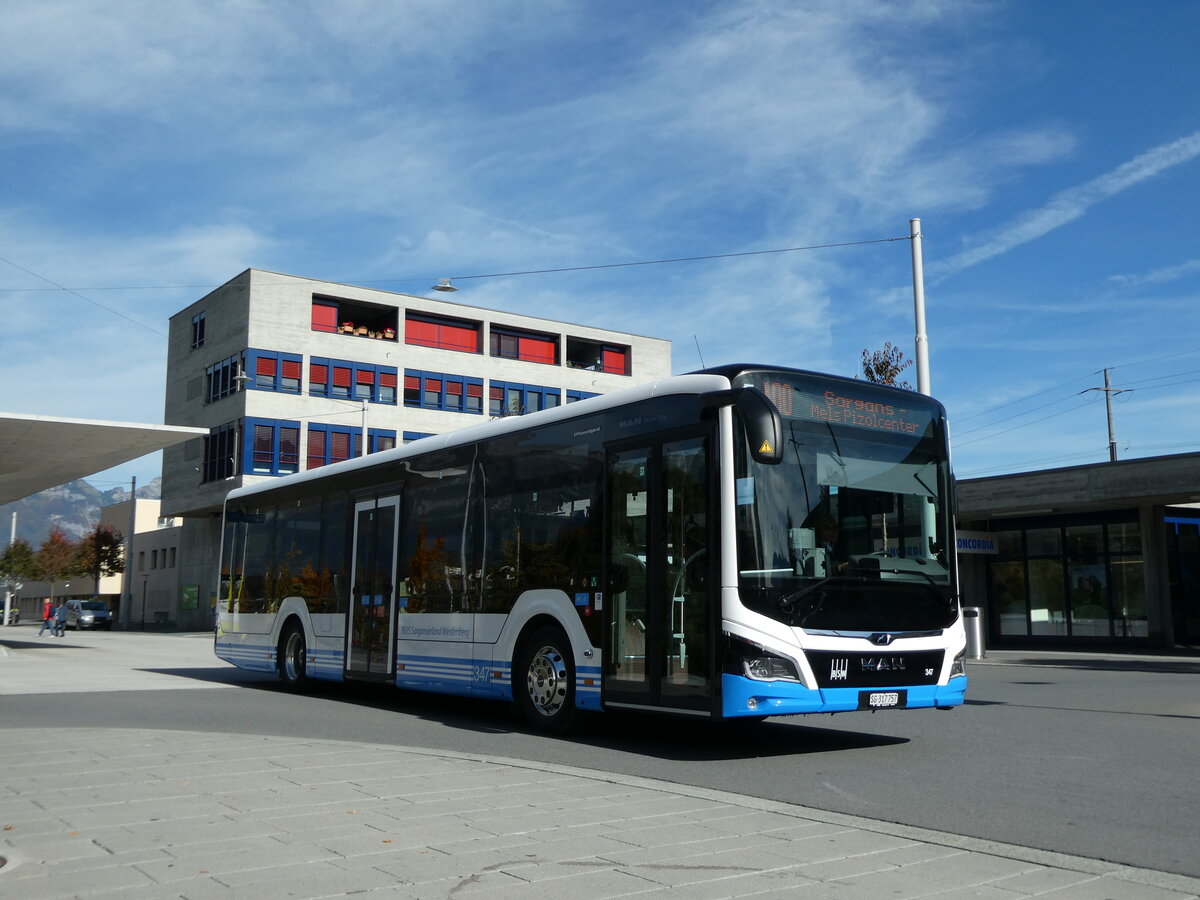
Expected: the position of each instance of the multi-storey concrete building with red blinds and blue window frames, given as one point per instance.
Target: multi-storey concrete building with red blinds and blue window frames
(290, 374)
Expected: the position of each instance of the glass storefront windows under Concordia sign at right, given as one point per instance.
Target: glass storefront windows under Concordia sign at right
(1077, 580)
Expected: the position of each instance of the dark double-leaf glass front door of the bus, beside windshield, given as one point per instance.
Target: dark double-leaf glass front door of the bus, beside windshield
(661, 578)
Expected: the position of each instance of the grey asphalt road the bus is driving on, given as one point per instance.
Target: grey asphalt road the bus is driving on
(1083, 755)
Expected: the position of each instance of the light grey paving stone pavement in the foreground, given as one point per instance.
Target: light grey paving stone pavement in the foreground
(202, 815)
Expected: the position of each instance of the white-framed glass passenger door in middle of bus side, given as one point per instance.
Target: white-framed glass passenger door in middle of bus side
(369, 634)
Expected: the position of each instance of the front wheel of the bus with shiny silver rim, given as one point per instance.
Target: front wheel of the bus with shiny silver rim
(544, 681)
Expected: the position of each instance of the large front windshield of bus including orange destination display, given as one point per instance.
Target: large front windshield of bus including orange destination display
(850, 533)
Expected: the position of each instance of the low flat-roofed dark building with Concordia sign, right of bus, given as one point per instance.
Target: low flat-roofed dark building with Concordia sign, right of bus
(1101, 555)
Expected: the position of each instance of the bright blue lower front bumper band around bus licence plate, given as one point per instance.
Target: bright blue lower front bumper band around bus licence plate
(788, 698)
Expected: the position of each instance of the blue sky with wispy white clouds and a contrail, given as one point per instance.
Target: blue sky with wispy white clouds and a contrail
(1052, 151)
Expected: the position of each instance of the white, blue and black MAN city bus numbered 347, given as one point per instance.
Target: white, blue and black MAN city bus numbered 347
(745, 542)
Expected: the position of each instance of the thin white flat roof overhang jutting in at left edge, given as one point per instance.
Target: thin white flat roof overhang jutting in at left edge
(40, 452)
